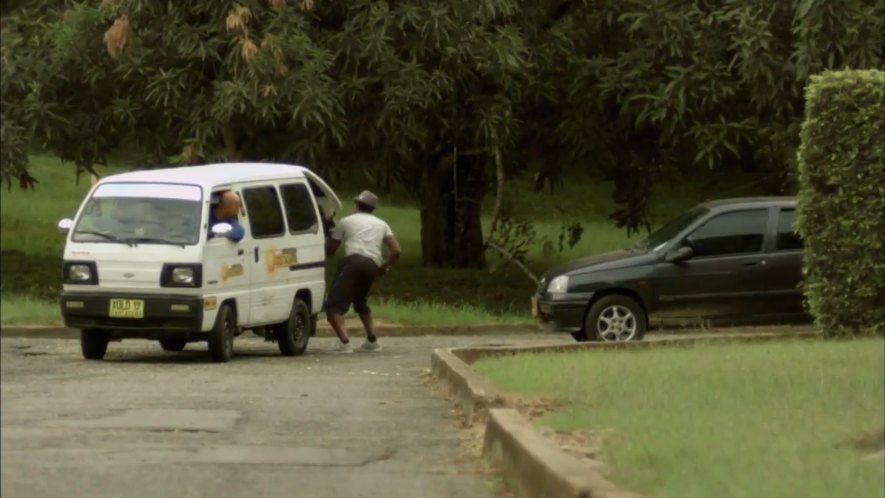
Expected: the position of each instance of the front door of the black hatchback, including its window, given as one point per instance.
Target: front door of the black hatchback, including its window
(721, 278)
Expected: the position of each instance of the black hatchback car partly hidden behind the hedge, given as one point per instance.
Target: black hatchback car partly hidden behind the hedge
(733, 258)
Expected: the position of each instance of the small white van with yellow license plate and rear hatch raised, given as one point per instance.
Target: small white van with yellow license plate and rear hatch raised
(141, 260)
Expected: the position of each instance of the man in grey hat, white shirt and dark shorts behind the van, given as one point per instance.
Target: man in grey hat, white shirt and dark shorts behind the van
(364, 236)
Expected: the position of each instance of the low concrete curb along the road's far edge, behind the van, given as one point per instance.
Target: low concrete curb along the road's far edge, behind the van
(58, 332)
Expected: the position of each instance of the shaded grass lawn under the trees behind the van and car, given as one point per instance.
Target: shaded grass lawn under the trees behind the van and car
(32, 248)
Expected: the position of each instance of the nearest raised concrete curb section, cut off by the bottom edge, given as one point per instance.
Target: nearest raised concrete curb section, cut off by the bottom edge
(533, 466)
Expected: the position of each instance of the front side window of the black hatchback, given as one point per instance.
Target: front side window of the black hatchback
(739, 232)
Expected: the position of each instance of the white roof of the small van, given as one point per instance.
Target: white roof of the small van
(211, 175)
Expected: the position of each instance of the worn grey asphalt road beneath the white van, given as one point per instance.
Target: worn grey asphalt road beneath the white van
(146, 423)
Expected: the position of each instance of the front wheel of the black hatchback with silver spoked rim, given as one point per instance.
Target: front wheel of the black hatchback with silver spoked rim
(615, 319)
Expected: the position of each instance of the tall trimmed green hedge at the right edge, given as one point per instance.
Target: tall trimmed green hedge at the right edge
(841, 212)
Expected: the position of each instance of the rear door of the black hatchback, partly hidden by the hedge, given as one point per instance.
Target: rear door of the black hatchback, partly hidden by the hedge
(784, 265)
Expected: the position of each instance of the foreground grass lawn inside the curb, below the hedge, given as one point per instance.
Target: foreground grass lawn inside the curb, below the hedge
(738, 420)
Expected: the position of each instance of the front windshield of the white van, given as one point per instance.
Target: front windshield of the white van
(133, 213)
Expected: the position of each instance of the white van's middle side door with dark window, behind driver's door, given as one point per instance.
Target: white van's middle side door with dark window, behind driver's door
(270, 297)
